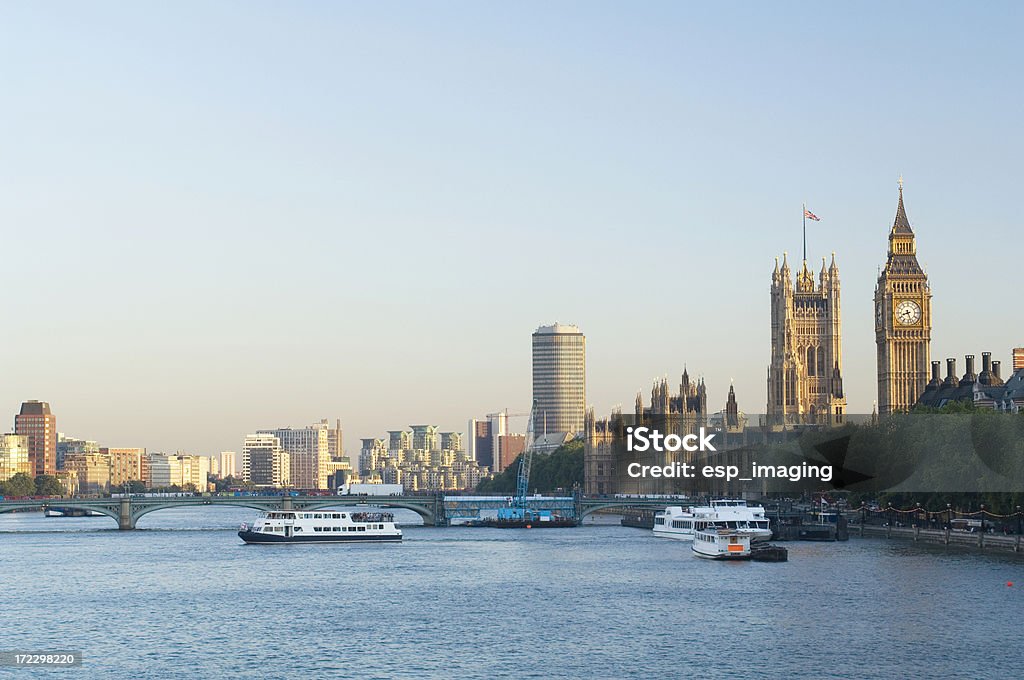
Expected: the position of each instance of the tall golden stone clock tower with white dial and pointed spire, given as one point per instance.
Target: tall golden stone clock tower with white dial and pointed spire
(903, 320)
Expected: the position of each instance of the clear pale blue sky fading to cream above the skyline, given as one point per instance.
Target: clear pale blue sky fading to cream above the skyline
(221, 217)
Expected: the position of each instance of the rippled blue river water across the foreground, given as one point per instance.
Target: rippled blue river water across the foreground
(185, 598)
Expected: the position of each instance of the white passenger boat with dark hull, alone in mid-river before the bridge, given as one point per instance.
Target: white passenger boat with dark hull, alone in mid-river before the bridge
(321, 527)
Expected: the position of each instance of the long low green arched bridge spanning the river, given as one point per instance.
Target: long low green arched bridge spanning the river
(436, 511)
